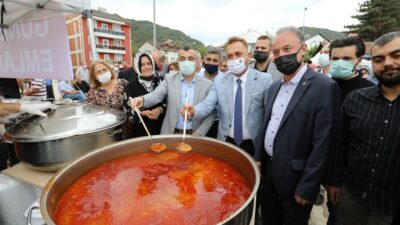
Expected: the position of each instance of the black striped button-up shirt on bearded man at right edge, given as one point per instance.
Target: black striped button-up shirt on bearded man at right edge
(367, 157)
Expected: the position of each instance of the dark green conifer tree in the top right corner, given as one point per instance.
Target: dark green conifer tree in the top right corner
(376, 17)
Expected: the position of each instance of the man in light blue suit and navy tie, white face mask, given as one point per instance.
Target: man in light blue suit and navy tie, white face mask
(240, 95)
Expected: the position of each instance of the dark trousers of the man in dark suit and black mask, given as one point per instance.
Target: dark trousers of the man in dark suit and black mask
(278, 209)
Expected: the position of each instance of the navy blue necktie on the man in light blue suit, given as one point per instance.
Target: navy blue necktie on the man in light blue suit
(237, 120)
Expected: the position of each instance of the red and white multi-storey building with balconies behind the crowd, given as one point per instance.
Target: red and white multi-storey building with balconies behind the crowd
(112, 34)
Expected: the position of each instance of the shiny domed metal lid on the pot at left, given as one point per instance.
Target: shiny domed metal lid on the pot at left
(65, 121)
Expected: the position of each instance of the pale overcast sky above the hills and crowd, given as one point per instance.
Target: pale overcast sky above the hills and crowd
(213, 21)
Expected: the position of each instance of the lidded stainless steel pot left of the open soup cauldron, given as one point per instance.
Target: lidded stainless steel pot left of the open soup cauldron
(50, 143)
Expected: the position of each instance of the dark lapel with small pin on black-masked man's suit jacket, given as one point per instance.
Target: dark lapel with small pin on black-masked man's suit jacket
(301, 88)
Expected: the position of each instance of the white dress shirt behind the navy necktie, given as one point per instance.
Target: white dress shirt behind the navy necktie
(246, 133)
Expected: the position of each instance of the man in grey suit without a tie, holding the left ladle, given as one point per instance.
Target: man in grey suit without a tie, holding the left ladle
(175, 88)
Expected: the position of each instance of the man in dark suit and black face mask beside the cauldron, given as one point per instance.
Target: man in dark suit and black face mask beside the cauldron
(299, 131)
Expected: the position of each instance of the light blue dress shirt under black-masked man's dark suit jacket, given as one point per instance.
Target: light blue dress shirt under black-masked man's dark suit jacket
(279, 107)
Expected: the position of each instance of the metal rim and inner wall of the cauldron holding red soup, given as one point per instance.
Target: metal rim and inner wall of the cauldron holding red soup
(218, 149)
